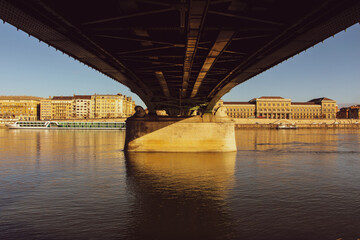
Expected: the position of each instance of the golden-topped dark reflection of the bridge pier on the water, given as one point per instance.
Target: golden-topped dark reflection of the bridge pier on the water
(181, 196)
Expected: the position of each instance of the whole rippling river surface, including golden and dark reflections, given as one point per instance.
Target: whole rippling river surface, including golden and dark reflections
(280, 184)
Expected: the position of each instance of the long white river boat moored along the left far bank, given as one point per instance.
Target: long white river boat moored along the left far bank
(66, 125)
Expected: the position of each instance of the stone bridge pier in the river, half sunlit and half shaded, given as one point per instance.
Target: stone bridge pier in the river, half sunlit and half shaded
(208, 133)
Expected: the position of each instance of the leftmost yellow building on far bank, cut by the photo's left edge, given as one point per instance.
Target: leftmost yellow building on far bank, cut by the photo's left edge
(19, 107)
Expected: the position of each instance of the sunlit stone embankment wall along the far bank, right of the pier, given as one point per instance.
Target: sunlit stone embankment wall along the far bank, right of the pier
(300, 123)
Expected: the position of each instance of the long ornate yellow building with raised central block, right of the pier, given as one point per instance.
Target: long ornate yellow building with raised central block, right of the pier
(275, 107)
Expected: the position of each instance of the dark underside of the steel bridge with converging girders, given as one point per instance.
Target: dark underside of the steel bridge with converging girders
(177, 55)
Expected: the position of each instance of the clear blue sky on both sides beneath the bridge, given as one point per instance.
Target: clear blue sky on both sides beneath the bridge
(330, 69)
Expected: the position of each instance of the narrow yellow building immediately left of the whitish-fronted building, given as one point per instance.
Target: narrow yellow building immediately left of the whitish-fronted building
(62, 108)
